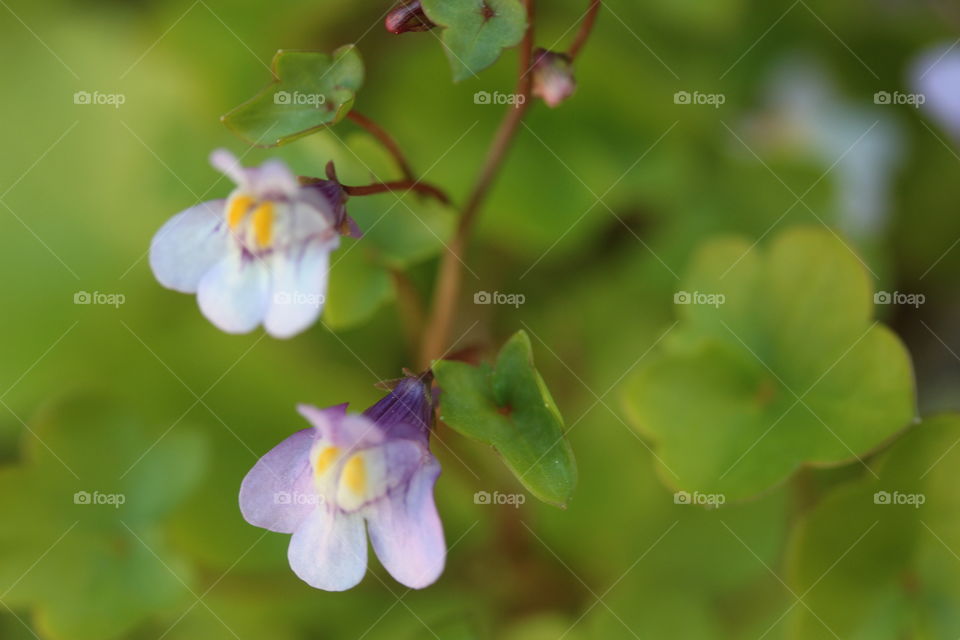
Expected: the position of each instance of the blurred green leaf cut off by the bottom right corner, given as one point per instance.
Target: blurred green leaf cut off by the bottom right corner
(877, 558)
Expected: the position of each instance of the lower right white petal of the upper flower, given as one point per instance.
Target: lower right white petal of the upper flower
(299, 289)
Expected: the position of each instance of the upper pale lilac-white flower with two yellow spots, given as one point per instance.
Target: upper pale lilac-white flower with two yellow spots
(260, 256)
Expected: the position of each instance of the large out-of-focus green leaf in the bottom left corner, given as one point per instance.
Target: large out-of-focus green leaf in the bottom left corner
(88, 497)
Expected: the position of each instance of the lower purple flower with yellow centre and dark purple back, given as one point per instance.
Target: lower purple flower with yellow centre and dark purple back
(323, 483)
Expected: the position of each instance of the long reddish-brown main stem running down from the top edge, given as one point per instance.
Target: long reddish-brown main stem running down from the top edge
(437, 332)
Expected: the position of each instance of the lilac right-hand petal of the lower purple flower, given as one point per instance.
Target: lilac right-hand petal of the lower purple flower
(406, 532)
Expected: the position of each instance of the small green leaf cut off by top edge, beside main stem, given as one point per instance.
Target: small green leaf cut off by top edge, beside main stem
(476, 31)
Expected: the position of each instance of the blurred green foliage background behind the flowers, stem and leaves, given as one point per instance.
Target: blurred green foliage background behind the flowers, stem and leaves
(594, 219)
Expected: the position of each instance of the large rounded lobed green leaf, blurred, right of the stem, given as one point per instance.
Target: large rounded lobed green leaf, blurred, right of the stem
(776, 363)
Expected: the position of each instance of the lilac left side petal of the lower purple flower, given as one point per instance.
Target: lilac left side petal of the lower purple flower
(277, 494)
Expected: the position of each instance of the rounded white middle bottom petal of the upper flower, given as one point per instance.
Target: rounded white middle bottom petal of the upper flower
(235, 293)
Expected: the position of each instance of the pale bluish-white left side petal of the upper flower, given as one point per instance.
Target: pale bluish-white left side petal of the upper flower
(188, 245)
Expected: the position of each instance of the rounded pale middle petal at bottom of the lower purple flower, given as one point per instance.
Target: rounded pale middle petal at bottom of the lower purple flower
(329, 550)
